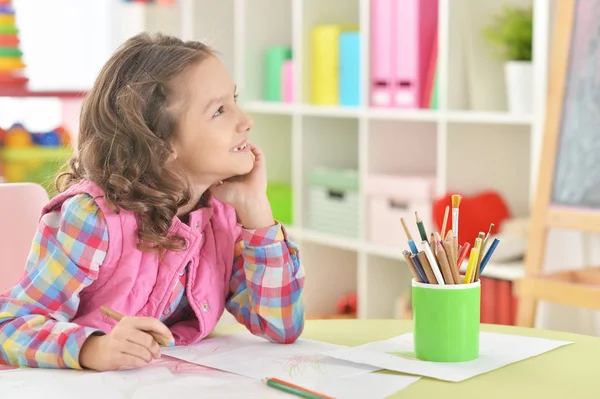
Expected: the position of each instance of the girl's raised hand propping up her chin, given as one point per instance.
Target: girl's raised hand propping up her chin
(248, 194)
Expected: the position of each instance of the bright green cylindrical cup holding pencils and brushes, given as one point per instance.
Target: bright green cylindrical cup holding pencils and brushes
(446, 321)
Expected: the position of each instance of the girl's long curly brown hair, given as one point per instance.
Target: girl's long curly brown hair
(127, 124)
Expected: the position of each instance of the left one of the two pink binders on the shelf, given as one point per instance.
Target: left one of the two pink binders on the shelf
(381, 53)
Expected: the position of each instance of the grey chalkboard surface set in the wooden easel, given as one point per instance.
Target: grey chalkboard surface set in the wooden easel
(577, 167)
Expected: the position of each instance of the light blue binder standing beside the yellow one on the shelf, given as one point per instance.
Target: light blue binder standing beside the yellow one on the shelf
(349, 69)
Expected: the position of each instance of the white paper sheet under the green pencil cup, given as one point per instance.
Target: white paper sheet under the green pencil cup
(495, 351)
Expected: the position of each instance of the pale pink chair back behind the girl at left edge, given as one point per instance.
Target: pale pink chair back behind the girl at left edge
(20, 208)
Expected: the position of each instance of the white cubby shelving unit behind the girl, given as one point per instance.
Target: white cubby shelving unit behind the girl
(469, 147)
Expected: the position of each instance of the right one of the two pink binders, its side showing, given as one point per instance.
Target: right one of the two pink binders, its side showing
(414, 30)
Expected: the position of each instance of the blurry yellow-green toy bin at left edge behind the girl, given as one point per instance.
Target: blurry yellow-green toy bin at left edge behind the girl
(37, 164)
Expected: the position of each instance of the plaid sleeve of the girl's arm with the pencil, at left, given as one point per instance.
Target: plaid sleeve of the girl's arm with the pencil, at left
(67, 251)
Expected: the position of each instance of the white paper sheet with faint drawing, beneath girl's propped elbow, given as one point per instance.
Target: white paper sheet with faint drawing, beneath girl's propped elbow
(301, 362)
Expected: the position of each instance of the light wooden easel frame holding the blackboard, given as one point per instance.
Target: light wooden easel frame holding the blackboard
(579, 288)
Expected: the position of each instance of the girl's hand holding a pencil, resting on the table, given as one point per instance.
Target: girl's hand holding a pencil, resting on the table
(129, 345)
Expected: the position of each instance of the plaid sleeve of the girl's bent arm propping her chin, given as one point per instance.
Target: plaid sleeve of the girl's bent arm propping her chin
(266, 284)
